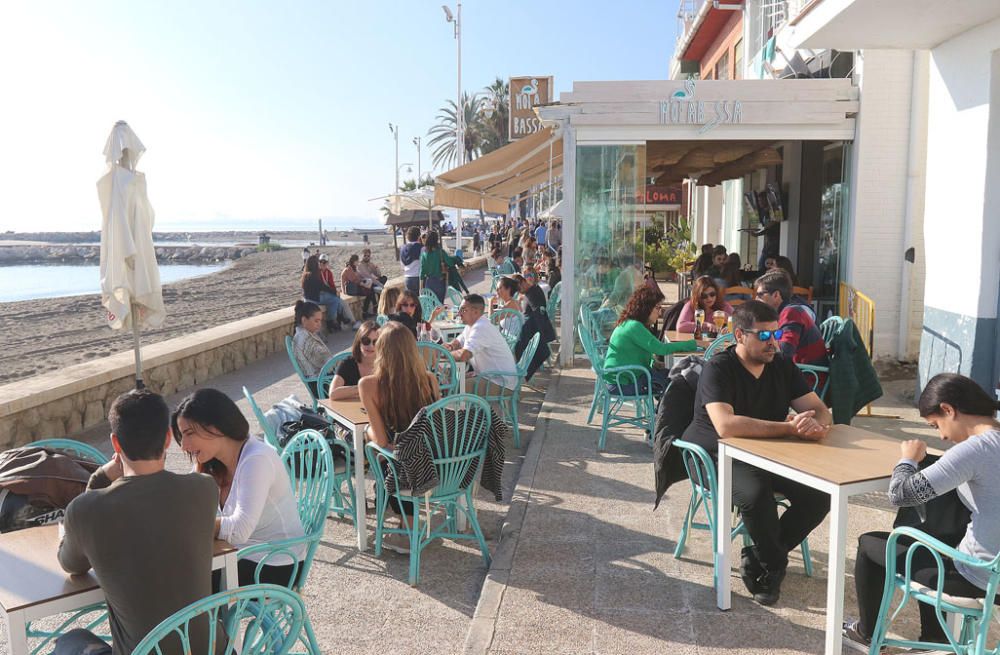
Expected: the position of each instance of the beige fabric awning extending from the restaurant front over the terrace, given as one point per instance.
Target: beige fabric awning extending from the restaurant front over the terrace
(492, 180)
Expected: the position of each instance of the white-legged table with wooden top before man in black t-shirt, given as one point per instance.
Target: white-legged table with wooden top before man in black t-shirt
(849, 461)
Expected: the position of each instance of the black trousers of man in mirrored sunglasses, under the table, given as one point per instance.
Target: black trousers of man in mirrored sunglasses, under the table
(774, 537)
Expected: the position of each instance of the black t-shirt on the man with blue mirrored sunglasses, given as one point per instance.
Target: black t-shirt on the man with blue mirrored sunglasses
(725, 380)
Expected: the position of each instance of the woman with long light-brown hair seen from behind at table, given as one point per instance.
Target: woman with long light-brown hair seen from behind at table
(398, 388)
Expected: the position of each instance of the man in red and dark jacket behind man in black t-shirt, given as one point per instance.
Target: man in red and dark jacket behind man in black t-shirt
(801, 340)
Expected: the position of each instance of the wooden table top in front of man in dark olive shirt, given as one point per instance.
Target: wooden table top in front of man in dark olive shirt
(32, 575)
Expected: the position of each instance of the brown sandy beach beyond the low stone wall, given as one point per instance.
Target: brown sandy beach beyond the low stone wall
(38, 336)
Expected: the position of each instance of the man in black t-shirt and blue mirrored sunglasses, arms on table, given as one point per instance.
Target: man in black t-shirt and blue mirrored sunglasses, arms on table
(745, 391)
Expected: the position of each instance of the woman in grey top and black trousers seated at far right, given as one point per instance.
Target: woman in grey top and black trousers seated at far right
(964, 414)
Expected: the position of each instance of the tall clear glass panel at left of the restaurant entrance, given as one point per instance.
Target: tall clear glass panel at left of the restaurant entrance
(610, 183)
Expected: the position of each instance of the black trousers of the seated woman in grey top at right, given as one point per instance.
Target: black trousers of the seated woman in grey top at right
(869, 580)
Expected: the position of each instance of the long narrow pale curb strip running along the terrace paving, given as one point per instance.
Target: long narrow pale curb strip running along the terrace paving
(479, 637)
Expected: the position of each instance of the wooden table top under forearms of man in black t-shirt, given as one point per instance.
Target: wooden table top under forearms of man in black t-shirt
(846, 455)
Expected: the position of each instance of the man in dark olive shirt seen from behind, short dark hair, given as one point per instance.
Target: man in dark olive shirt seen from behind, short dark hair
(146, 532)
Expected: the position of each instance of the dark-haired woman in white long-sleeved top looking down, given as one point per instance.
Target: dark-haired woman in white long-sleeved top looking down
(256, 503)
